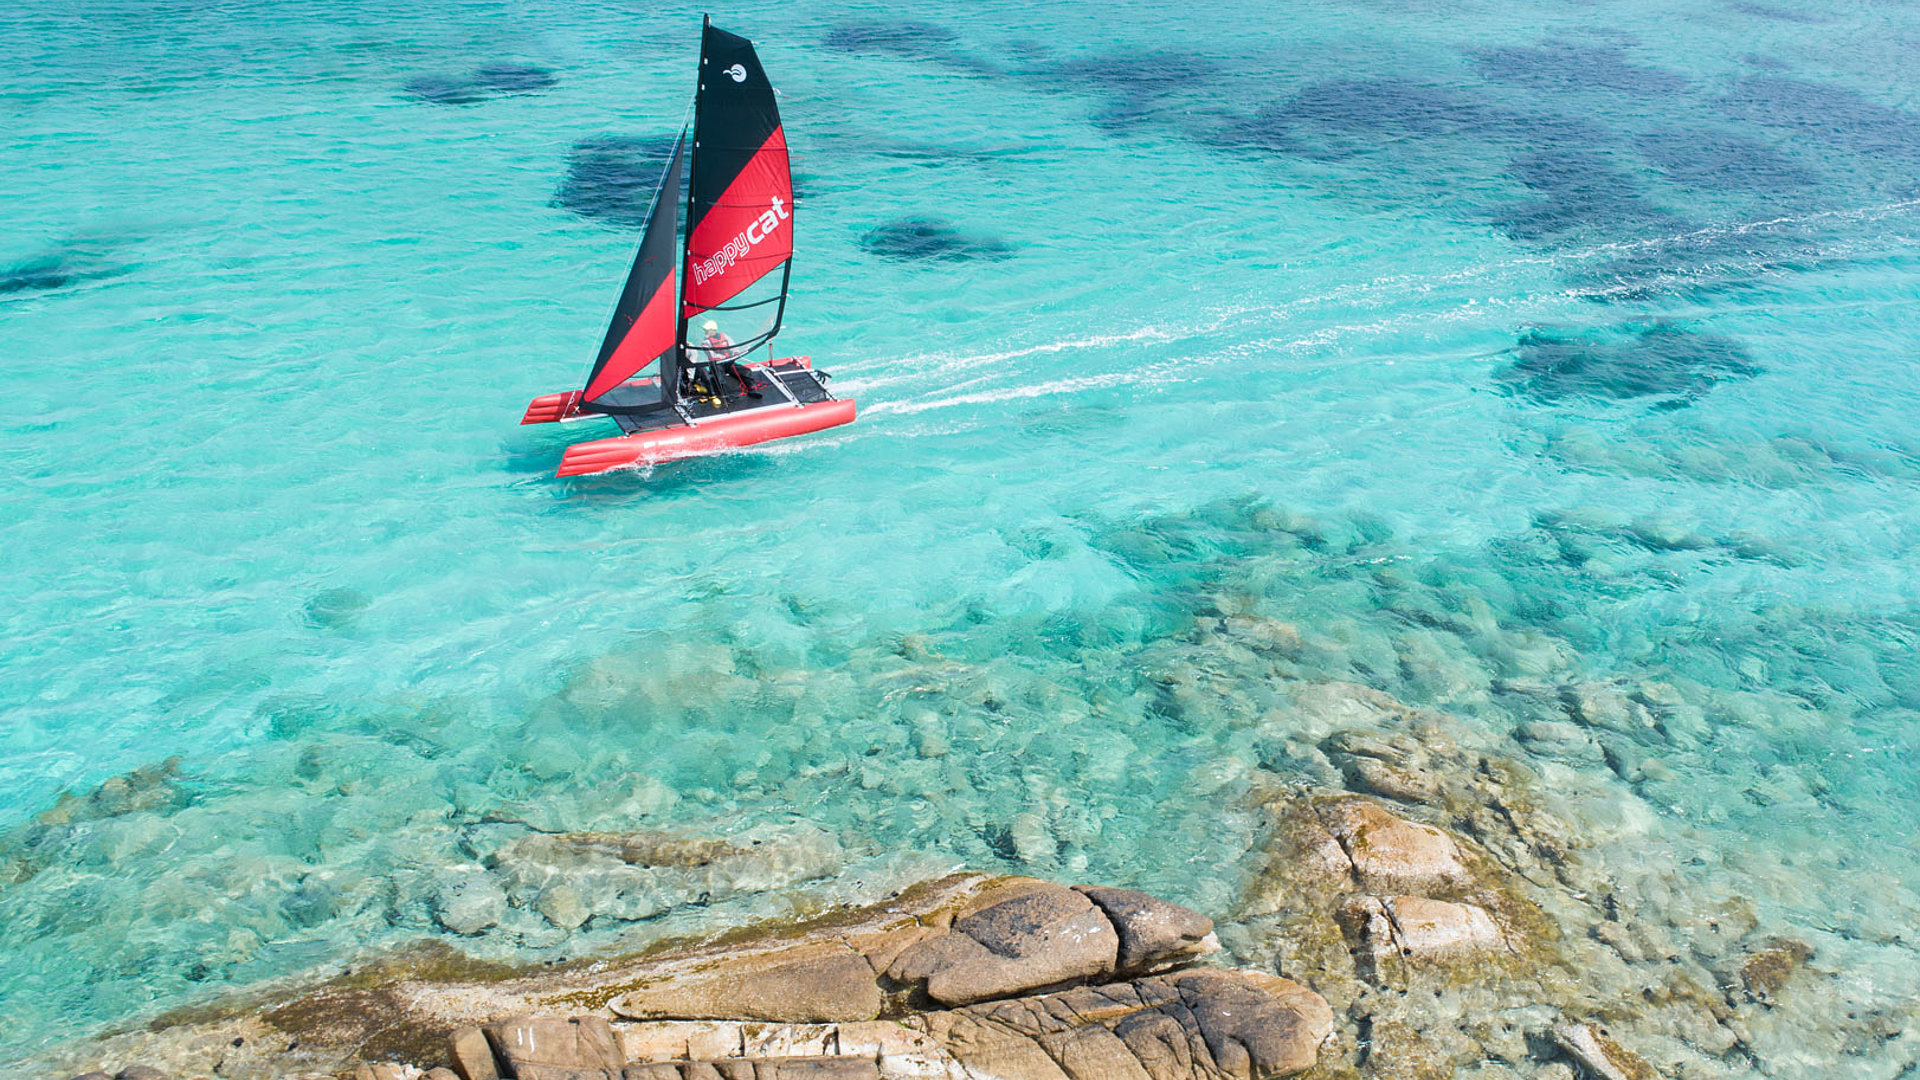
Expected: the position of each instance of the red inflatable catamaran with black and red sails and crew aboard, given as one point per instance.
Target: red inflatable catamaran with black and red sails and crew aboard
(669, 372)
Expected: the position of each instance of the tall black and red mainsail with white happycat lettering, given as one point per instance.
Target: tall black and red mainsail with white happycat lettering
(740, 201)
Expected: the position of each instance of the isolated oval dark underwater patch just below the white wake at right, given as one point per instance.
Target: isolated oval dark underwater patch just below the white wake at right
(1627, 364)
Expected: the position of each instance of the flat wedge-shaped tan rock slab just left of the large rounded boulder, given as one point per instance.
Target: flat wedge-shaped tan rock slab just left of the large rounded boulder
(819, 983)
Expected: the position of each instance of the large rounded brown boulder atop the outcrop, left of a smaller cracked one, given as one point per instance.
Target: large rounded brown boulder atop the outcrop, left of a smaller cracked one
(1040, 939)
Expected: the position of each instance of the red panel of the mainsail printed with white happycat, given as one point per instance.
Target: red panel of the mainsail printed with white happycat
(746, 233)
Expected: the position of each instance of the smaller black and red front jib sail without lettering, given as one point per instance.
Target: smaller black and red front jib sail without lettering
(646, 326)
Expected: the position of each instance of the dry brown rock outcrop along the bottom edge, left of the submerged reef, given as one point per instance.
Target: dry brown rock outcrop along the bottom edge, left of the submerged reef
(959, 977)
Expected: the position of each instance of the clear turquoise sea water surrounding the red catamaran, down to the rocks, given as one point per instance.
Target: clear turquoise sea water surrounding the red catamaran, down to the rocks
(1477, 343)
